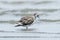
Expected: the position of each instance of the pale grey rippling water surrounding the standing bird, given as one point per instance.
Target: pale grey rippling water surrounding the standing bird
(46, 28)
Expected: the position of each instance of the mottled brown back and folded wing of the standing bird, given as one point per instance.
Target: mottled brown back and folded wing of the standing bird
(27, 20)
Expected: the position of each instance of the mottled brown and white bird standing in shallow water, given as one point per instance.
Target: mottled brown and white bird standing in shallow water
(27, 20)
